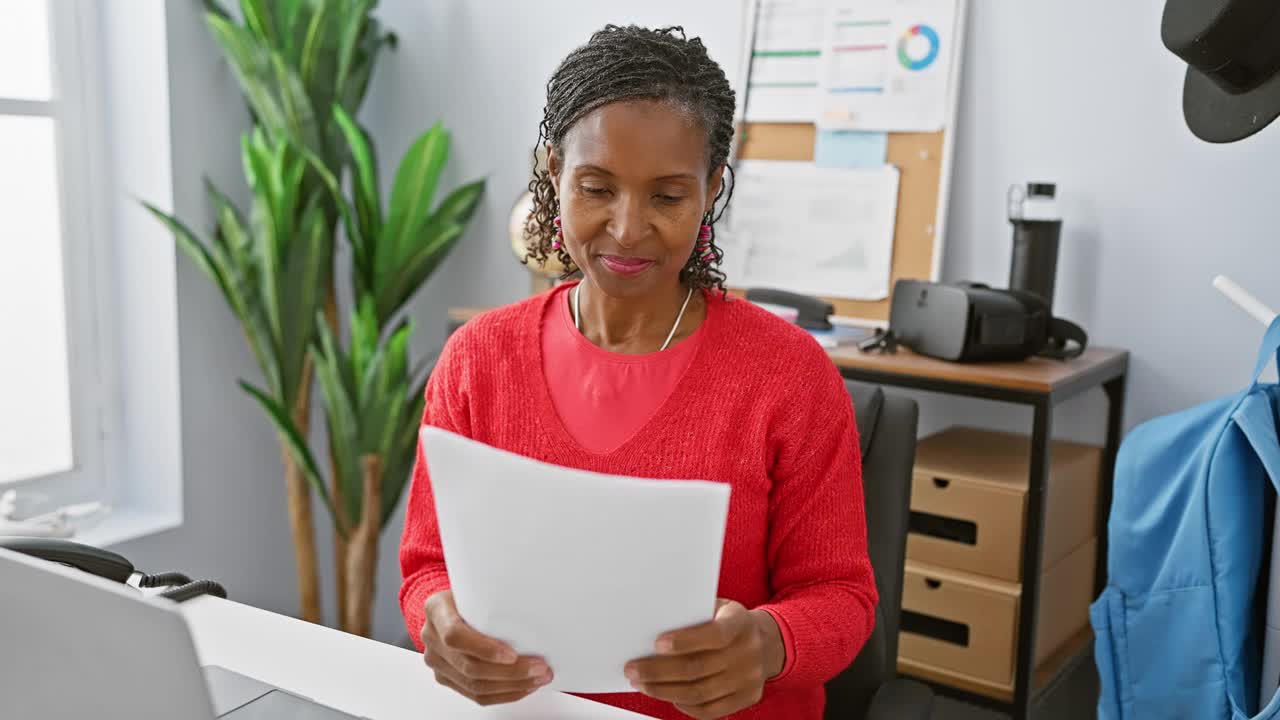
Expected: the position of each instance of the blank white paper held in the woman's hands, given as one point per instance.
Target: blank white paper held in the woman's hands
(583, 569)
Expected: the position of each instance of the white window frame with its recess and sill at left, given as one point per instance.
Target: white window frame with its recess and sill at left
(112, 111)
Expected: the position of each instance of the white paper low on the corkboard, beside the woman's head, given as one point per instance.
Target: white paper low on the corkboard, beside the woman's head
(820, 231)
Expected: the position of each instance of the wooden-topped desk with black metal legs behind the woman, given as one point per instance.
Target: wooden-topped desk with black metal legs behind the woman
(1040, 384)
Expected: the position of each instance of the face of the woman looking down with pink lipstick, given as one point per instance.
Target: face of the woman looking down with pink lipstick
(633, 185)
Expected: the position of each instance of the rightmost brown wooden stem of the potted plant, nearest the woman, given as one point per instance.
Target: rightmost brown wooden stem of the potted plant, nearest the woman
(363, 550)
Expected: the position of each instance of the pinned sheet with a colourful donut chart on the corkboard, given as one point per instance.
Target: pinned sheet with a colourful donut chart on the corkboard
(886, 65)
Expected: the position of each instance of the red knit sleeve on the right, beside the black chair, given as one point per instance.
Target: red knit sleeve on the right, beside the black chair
(824, 587)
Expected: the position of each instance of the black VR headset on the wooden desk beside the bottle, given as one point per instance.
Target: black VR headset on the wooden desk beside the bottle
(970, 322)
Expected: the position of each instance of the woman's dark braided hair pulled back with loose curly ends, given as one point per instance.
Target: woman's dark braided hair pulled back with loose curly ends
(633, 63)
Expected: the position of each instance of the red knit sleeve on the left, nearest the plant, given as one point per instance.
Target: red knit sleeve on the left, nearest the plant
(422, 555)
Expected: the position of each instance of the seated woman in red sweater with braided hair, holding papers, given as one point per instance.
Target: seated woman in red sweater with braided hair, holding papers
(647, 368)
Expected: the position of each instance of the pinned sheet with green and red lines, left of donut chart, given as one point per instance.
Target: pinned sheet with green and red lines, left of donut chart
(785, 62)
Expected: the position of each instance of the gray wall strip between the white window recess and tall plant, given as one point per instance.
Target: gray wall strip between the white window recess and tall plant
(235, 525)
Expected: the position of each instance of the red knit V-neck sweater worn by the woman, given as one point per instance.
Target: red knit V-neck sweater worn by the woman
(761, 408)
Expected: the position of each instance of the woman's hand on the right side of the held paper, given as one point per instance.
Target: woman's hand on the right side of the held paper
(716, 669)
